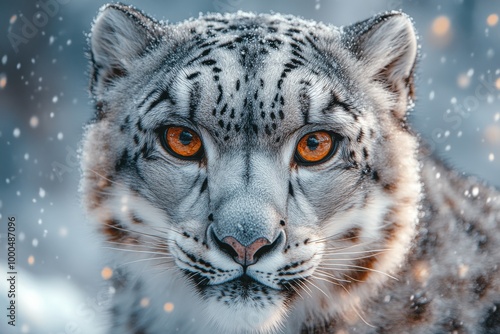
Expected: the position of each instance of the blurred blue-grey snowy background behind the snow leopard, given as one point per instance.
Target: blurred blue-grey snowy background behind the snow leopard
(44, 105)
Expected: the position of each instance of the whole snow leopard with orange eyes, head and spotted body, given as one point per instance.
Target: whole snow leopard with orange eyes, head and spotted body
(258, 173)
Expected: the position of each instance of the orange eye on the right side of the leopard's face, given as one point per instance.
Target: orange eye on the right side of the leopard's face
(315, 147)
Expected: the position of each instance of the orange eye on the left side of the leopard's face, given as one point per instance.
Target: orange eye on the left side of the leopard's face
(182, 142)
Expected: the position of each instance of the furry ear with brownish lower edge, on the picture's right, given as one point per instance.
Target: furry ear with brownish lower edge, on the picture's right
(387, 45)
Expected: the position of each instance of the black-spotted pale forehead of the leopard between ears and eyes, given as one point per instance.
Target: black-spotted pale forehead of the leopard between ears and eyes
(247, 77)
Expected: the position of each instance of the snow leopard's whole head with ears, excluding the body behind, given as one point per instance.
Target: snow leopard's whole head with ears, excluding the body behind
(262, 161)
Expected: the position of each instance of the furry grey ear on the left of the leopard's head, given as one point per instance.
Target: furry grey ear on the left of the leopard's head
(119, 34)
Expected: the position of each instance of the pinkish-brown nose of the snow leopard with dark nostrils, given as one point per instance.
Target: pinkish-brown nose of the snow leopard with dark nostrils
(245, 255)
